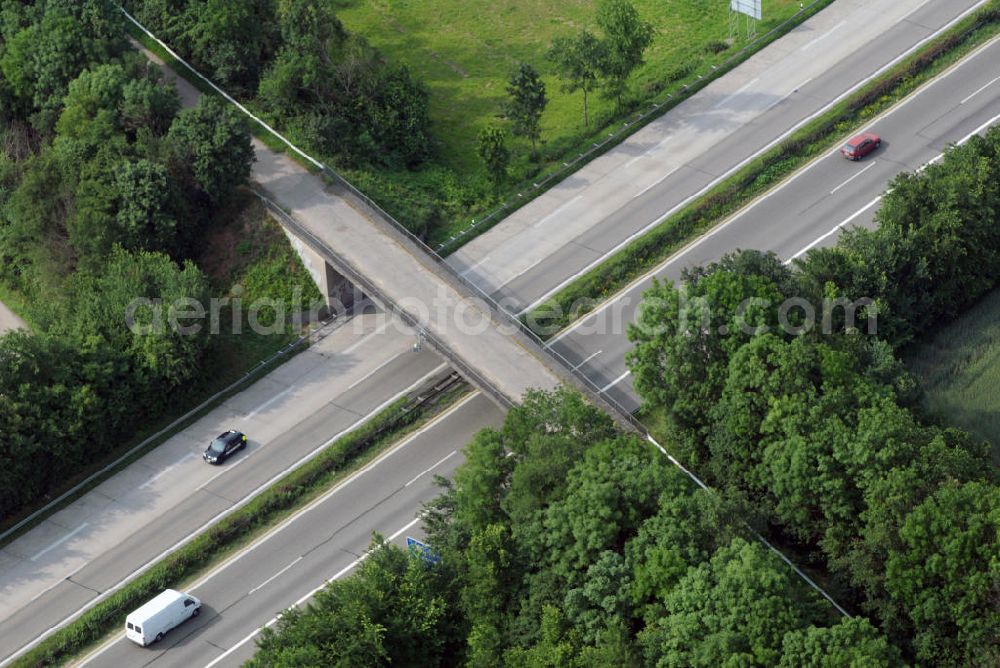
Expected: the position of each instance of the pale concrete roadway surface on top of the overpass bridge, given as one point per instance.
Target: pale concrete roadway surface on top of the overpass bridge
(400, 272)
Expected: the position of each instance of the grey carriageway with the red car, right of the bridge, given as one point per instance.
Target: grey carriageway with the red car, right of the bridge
(806, 210)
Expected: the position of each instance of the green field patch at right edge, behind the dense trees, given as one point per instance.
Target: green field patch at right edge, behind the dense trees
(960, 370)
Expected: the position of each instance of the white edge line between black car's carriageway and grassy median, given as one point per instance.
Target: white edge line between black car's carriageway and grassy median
(191, 536)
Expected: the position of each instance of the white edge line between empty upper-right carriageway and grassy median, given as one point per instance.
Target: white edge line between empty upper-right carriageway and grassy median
(740, 165)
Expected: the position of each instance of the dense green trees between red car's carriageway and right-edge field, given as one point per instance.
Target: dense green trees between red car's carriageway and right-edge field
(817, 430)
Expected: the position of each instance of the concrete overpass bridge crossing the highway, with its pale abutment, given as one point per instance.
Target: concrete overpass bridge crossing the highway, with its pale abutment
(351, 248)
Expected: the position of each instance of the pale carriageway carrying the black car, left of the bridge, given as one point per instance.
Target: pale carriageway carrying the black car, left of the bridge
(81, 551)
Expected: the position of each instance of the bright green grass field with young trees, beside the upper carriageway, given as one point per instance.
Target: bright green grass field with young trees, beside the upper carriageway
(465, 51)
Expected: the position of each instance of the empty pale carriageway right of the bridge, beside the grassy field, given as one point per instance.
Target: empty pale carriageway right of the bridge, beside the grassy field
(574, 225)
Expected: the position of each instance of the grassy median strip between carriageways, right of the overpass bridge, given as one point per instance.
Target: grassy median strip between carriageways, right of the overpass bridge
(586, 292)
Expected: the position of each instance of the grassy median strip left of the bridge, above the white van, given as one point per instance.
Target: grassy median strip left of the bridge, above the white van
(293, 491)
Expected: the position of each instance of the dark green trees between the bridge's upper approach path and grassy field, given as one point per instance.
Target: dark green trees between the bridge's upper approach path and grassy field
(295, 60)
